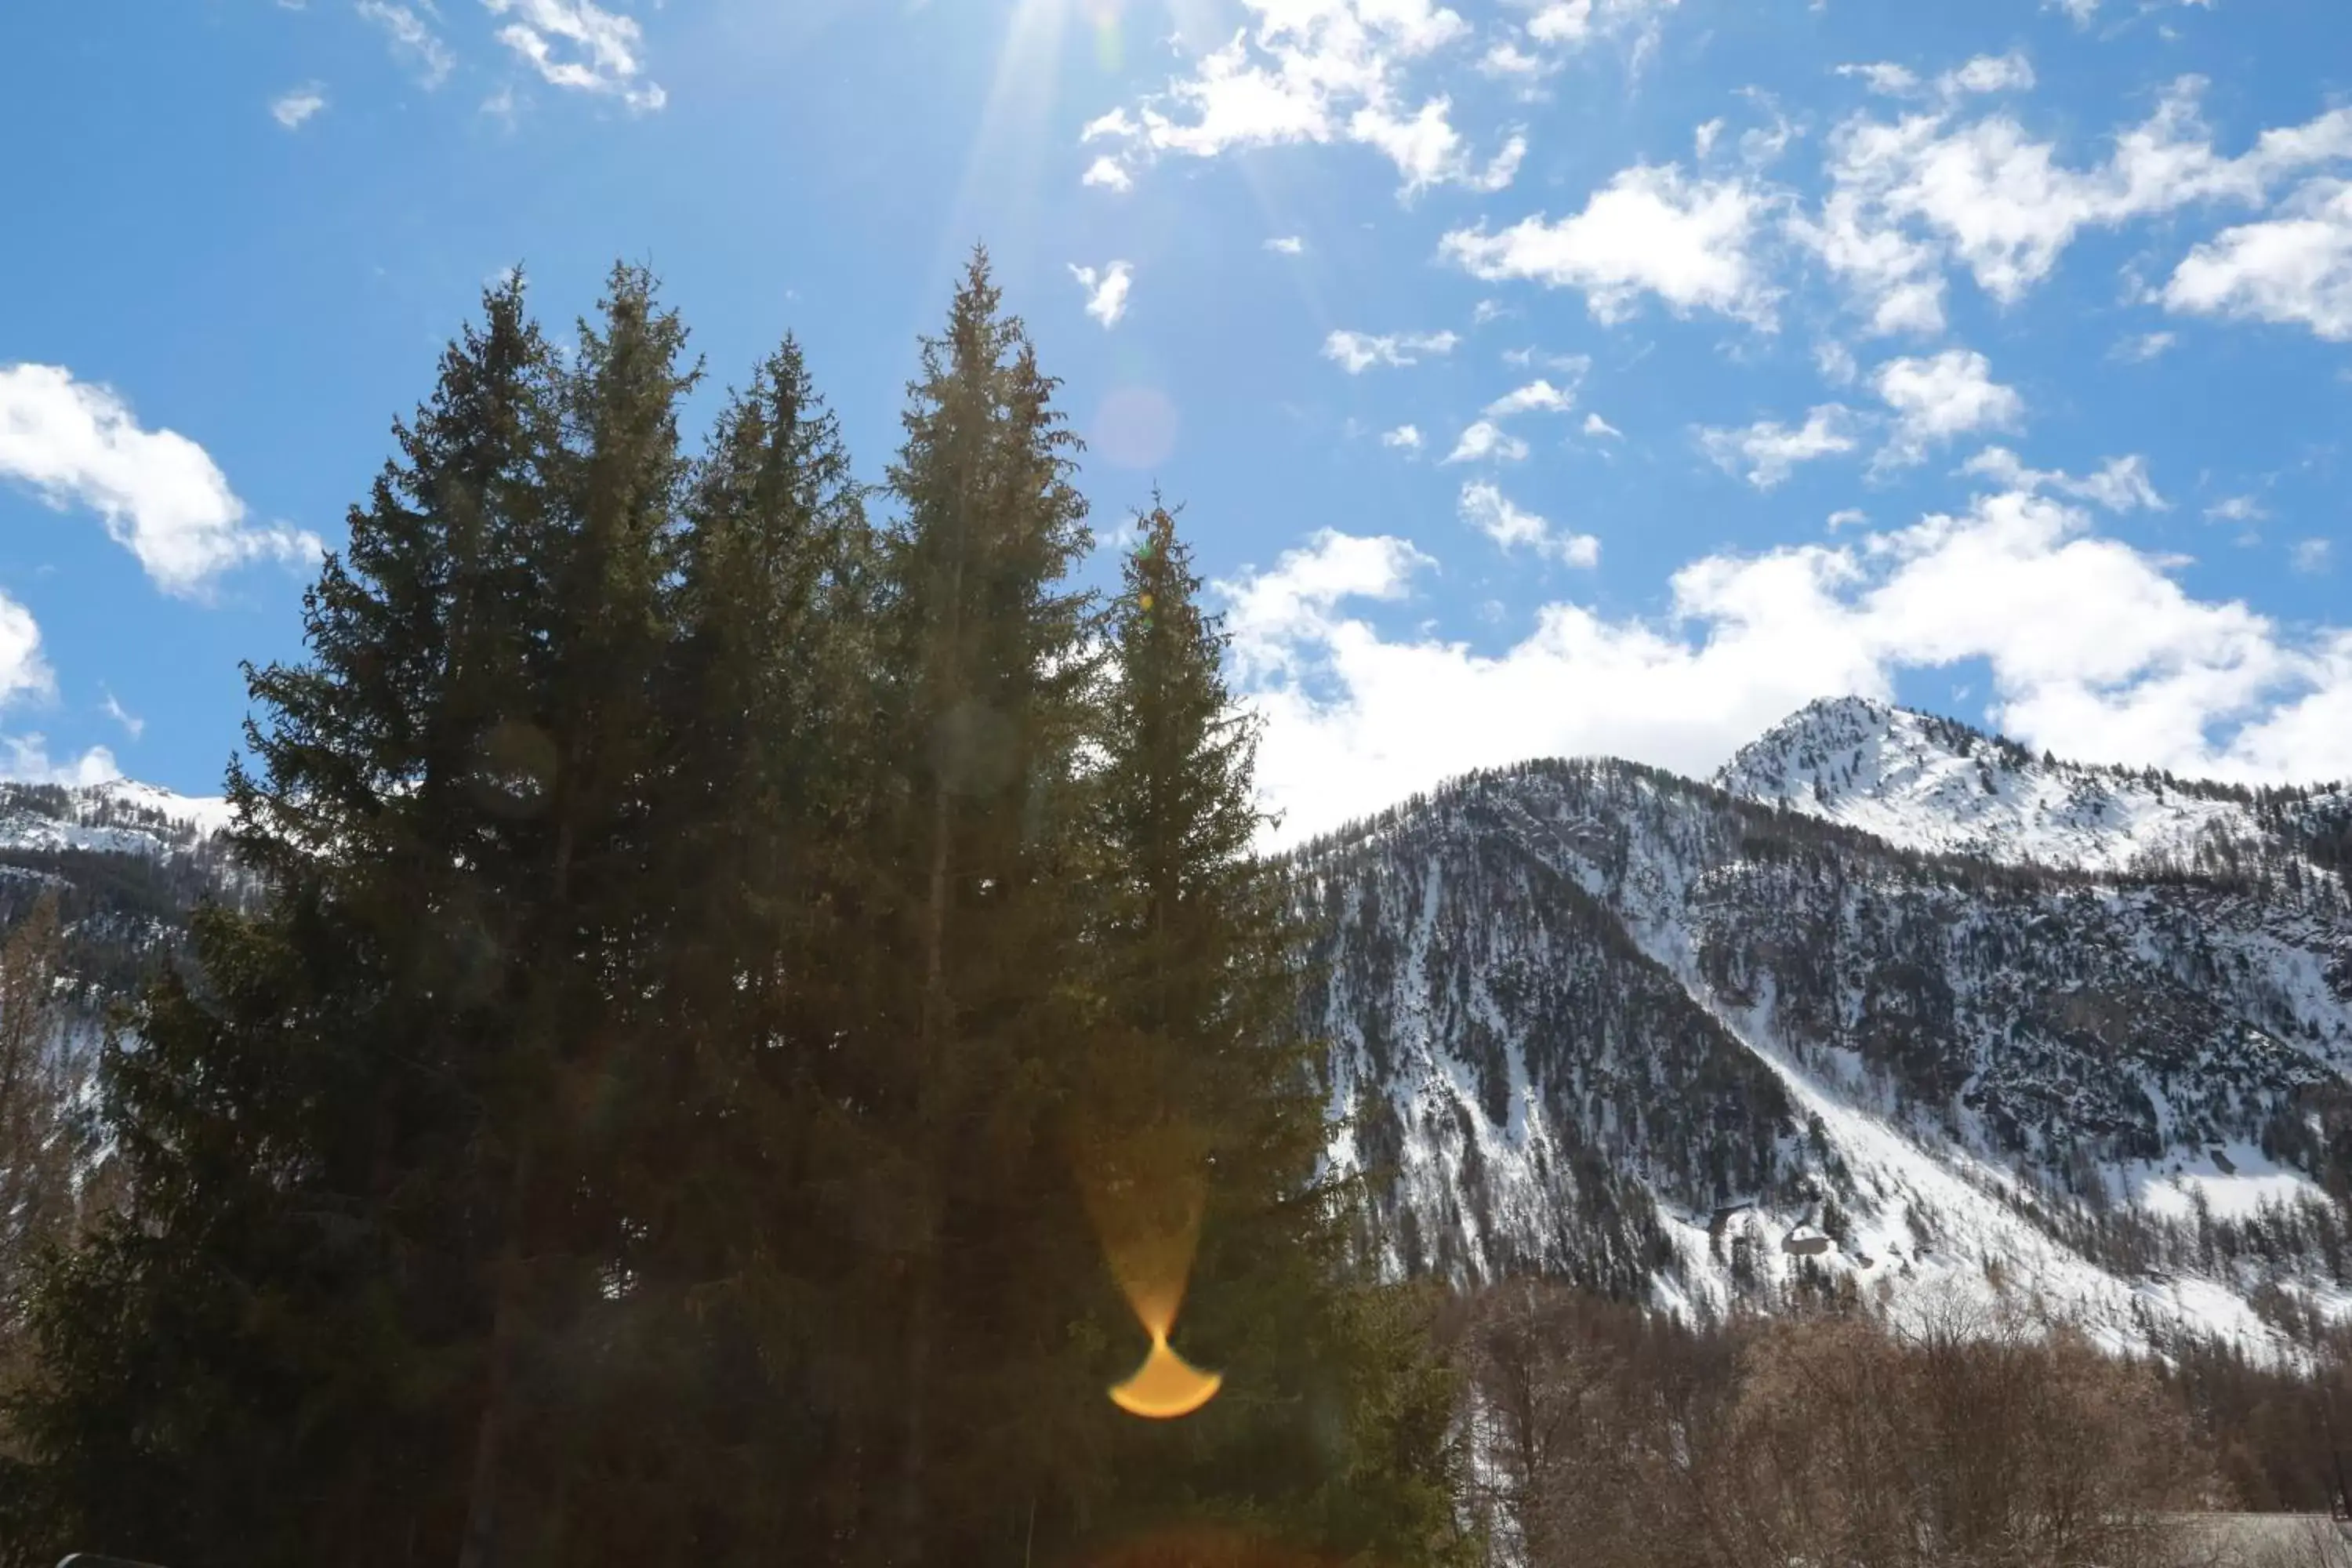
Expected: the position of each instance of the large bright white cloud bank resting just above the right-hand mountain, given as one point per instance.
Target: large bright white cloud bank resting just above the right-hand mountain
(2092, 650)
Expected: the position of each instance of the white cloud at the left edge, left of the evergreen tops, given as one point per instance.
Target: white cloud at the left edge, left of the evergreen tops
(156, 490)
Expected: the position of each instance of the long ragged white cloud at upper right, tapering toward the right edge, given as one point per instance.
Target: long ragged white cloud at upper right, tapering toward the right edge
(1911, 194)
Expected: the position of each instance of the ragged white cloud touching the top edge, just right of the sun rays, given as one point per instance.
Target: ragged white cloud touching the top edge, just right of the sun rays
(1318, 72)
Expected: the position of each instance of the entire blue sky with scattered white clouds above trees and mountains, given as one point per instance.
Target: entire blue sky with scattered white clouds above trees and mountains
(1537, 375)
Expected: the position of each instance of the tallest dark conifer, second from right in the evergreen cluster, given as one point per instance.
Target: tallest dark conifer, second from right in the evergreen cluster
(970, 1024)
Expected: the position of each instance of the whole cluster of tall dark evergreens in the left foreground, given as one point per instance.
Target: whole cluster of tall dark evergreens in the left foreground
(723, 937)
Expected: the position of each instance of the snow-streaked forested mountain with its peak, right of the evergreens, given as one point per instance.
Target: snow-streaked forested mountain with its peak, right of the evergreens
(1998, 1026)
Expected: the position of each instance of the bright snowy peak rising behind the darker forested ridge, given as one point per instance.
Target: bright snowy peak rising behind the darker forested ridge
(1939, 786)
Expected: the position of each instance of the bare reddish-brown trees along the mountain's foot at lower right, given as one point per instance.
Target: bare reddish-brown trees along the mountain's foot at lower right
(1605, 1435)
